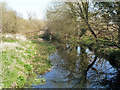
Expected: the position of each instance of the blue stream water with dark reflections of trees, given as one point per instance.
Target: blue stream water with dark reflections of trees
(69, 69)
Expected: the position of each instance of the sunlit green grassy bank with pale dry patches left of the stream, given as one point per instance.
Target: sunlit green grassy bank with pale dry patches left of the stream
(22, 60)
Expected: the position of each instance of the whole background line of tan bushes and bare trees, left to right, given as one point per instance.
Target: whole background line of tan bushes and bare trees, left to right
(71, 23)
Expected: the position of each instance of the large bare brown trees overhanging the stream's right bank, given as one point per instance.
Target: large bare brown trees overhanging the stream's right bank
(77, 22)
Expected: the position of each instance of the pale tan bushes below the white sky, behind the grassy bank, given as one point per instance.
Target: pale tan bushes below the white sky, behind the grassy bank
(12, 22)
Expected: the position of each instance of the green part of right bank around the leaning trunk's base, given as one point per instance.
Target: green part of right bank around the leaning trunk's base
(105, 49)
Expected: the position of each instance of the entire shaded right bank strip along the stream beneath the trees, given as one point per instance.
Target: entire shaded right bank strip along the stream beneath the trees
(105, 48)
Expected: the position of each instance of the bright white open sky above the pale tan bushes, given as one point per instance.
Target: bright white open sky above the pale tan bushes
(26, 6)
